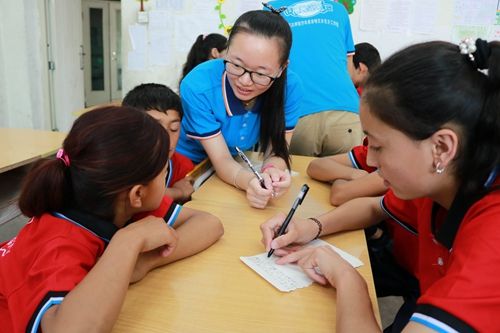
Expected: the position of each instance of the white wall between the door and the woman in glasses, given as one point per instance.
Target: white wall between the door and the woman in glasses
(185, 20)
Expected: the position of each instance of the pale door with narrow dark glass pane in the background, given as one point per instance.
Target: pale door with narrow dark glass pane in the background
(102, 51)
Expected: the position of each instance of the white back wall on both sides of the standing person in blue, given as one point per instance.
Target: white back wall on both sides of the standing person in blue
(188, 18)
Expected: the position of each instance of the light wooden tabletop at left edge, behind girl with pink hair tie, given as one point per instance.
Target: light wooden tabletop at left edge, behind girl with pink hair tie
(21, 146)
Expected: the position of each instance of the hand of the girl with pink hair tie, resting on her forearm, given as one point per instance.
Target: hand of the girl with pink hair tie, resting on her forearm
(153, 232)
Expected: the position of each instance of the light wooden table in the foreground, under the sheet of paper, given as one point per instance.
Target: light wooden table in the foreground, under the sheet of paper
(215, 292)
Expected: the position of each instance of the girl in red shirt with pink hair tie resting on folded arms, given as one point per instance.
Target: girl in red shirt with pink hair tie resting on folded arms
(99, 222)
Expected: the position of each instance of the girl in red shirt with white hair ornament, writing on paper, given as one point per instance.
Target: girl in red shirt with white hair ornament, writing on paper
(432, 118)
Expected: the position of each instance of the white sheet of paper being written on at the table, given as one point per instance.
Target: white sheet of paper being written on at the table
(290, 277)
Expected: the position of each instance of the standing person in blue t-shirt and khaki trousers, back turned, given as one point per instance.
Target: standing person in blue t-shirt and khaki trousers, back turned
(322, 46)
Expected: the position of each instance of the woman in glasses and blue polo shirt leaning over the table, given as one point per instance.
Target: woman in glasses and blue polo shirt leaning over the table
(247, 98)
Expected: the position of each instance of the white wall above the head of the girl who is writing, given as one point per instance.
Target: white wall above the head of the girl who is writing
(436, 16)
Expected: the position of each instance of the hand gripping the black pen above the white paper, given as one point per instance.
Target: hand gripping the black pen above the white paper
(299, 231)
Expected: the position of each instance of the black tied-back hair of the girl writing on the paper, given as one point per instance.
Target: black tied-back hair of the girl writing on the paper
(429, 85)
